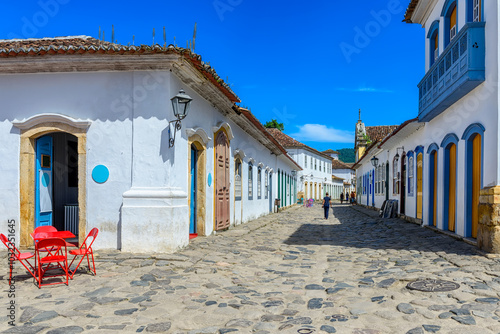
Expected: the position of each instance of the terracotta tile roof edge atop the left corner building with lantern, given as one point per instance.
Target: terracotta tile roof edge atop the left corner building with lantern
(55, 46)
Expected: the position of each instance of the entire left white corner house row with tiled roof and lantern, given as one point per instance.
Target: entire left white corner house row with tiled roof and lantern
(146, 143)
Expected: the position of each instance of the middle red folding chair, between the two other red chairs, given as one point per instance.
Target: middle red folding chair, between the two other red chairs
(57, 258)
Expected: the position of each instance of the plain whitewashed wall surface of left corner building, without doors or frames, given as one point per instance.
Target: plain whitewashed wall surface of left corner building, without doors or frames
(146, 193)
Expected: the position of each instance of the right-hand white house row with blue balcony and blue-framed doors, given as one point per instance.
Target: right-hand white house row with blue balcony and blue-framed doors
(443, 166)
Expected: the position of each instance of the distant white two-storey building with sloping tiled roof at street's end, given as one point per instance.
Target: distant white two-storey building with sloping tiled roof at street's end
(315, 178)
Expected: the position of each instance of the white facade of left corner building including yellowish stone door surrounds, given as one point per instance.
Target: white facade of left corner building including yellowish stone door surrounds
(121, 119)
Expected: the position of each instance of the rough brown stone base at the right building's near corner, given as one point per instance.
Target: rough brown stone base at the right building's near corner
(488, 231)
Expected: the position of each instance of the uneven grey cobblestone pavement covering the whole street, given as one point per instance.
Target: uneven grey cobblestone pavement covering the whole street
(291, 272)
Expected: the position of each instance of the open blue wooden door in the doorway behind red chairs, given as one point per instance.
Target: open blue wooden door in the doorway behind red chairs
(44, 184)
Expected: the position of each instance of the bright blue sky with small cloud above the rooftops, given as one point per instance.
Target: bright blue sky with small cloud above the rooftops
(311, 65)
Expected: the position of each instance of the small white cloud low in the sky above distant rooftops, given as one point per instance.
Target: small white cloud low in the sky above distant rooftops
(322, 133)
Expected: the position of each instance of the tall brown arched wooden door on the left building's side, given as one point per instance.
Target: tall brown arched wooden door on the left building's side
(222, 182)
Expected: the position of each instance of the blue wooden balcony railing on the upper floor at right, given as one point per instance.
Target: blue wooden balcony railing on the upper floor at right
(458, 70)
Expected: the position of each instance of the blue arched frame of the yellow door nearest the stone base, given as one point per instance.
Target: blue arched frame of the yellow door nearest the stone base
(469, 135)
